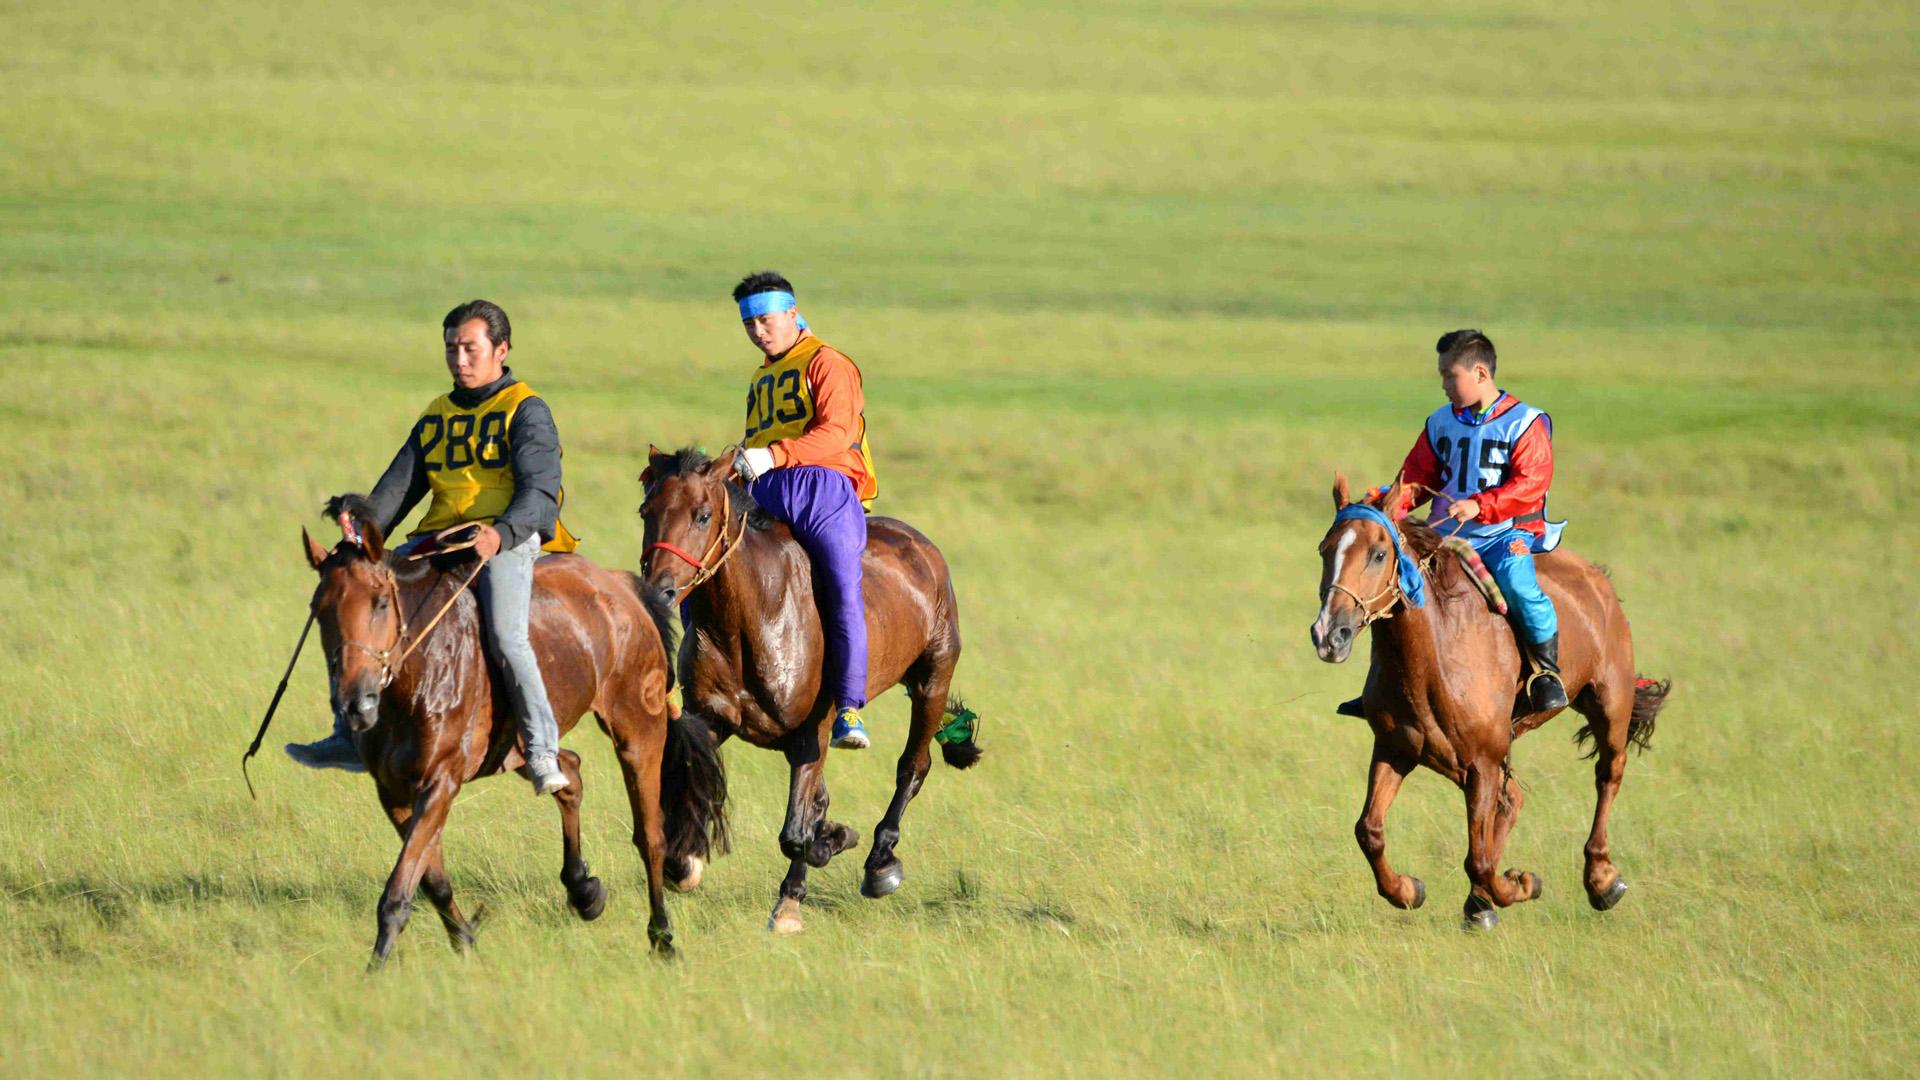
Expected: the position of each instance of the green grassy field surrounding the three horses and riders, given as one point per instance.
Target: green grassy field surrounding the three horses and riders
(1130, 282)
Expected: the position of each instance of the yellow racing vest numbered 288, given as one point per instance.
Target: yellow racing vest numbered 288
(469, 464)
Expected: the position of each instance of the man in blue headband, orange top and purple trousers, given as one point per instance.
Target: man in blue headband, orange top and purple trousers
(807, 462)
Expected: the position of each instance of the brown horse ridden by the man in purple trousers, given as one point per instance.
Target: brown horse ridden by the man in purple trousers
(754, 652)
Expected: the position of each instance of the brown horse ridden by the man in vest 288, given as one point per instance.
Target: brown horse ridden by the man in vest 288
(441, 720)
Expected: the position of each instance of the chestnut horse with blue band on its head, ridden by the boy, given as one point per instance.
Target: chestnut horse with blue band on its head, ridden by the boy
(1443, 693)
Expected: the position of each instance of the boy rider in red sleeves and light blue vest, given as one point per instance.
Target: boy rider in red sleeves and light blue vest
(1487, 460)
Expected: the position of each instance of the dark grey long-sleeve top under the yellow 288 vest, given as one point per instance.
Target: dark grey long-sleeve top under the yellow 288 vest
(535, 447)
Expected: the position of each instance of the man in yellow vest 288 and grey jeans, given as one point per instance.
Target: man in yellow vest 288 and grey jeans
(491, 456)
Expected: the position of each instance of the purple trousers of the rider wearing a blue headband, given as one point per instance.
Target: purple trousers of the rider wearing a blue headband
(827, 518)
